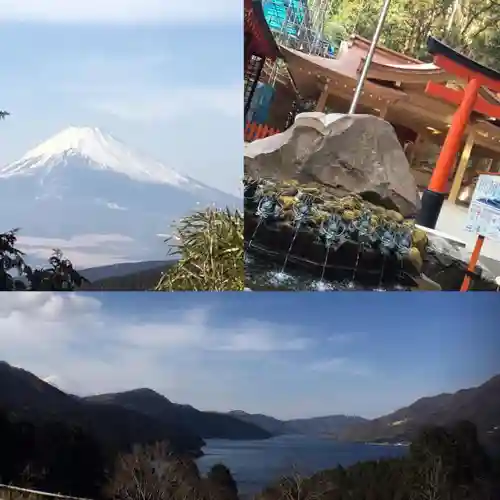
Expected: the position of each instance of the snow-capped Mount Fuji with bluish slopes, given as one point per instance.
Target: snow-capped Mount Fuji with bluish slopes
(100, 202)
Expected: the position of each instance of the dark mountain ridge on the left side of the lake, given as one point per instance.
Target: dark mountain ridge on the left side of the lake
(122, 419)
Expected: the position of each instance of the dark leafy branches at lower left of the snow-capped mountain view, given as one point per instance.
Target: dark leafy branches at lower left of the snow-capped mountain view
(15, 274)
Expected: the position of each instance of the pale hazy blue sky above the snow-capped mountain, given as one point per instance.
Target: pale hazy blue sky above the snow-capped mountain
(163, 76)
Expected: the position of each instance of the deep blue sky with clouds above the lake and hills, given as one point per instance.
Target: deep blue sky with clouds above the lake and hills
(287, 355)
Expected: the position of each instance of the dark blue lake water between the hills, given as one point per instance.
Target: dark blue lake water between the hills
(256, 464)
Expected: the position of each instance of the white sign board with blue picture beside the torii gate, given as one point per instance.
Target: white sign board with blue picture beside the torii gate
(484, 211)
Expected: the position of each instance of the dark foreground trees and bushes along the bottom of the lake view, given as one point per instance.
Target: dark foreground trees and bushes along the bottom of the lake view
(442, 464)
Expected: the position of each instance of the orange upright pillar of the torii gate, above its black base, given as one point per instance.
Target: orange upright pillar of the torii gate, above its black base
(453, 140)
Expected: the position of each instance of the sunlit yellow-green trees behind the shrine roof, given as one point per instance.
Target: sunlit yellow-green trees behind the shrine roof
(471, 26)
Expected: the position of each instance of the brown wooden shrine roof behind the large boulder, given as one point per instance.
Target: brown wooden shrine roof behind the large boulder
(395, 81)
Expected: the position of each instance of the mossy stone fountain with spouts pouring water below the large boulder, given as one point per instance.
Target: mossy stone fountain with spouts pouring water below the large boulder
(286, 218)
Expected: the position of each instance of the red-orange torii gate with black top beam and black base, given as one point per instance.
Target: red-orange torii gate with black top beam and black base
(468, 100)
